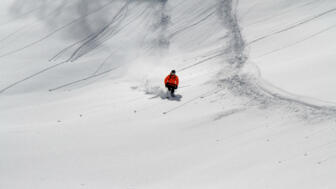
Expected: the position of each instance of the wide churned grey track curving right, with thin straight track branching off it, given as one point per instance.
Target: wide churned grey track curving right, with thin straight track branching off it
(251, 87)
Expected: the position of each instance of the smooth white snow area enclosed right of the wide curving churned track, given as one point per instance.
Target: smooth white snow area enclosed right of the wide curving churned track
(293, 44)
